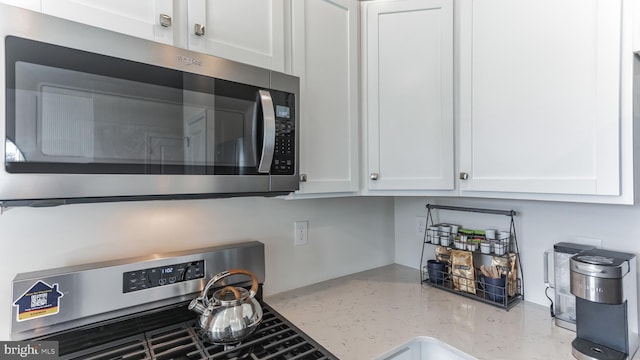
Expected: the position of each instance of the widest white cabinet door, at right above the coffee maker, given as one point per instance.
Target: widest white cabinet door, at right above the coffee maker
(540, 96)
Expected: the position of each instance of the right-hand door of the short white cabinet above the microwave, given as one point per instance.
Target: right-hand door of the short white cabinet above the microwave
(248, 31)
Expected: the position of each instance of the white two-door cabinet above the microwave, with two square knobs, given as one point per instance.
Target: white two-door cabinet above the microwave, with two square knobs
(248, 31)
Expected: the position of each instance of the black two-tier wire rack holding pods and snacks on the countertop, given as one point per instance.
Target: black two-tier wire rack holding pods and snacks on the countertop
(484, 292)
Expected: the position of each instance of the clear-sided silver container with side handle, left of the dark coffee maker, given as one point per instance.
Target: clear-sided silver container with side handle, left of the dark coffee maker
(564, 303)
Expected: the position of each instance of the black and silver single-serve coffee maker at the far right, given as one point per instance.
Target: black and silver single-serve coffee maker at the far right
(604, 283)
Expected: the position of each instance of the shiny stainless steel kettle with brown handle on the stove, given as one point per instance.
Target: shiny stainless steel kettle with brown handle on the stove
(231, 314)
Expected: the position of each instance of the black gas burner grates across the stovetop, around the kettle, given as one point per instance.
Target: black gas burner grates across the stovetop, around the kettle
(275, 339)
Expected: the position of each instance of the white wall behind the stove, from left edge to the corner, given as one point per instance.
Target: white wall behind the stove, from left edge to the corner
(346, 235)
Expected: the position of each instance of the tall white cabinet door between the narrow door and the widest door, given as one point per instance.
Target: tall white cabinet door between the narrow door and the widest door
(408, 96)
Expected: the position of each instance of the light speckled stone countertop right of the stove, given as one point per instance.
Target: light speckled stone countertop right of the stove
(363, 315)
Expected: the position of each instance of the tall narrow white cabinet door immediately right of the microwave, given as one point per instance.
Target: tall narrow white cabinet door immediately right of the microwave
(325, 57)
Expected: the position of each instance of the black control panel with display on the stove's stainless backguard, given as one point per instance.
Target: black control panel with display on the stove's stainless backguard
(162, 275)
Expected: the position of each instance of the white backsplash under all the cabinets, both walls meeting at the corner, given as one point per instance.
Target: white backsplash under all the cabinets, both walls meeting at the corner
(346, 235)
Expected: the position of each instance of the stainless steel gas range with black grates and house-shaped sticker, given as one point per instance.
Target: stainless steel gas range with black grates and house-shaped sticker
(138, 308)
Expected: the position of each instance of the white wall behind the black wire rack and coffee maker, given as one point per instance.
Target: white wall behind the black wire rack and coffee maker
(539, 225)
